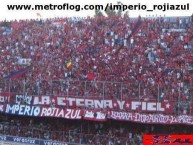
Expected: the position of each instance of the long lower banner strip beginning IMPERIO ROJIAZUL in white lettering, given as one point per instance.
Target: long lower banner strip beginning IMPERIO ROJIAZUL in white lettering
(96, 115)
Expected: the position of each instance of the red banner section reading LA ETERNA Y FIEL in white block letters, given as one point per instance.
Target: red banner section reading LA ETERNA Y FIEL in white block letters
(131, 105)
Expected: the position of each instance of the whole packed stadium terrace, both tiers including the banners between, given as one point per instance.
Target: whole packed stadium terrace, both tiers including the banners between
(95, 81)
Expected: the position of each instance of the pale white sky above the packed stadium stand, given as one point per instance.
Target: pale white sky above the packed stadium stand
(32, 14)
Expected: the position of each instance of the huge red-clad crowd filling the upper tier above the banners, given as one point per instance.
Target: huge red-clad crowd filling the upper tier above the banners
(105, 53)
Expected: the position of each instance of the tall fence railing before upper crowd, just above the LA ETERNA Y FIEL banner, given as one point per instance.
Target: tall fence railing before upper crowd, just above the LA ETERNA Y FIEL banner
(180, 94)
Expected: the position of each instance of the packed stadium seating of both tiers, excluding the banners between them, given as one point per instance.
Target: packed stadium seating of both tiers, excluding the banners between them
(103, 57)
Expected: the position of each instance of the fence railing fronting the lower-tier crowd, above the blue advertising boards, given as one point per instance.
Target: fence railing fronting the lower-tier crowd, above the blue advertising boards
(69, 137)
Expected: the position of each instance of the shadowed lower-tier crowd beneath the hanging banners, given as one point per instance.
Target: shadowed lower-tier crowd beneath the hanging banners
(84, 132)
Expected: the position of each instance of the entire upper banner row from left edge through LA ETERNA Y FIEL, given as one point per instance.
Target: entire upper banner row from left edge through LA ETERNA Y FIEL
(146, 106)
